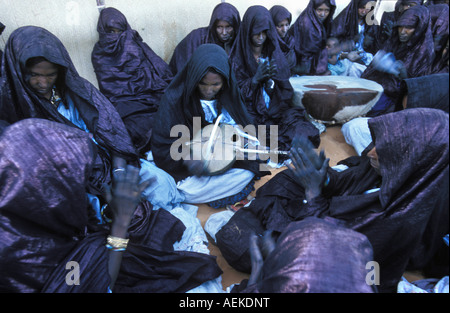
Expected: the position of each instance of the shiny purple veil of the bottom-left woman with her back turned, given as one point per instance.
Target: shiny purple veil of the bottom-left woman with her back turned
(43, 202)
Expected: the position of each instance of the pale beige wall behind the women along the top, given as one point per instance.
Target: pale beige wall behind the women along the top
(161, 23)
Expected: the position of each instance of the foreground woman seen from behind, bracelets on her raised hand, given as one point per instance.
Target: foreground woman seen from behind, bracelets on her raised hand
(50, 238)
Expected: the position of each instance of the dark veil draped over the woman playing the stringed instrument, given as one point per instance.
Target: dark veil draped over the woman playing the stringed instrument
(181, 103)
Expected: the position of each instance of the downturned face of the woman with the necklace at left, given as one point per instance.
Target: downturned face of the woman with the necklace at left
(43, 76)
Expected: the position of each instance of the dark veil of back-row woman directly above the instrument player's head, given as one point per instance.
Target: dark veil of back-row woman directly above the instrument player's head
(223, 11)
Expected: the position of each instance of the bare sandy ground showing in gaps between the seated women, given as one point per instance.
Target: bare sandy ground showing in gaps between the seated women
(333, 142)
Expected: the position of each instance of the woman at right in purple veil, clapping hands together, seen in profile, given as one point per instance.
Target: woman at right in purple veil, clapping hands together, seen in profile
(398, 200)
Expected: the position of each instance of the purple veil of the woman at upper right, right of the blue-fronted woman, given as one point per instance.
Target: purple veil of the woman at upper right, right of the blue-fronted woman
(417, 54)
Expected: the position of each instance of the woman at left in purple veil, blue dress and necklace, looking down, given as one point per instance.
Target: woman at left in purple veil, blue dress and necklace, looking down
(42, 82)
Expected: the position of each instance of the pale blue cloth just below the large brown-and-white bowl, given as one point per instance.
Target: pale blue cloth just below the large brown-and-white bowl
(357, 133)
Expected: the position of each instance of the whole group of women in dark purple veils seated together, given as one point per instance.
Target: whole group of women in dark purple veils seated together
(92, 176)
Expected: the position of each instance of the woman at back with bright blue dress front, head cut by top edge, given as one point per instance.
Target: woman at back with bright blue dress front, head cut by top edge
(351, 26)
